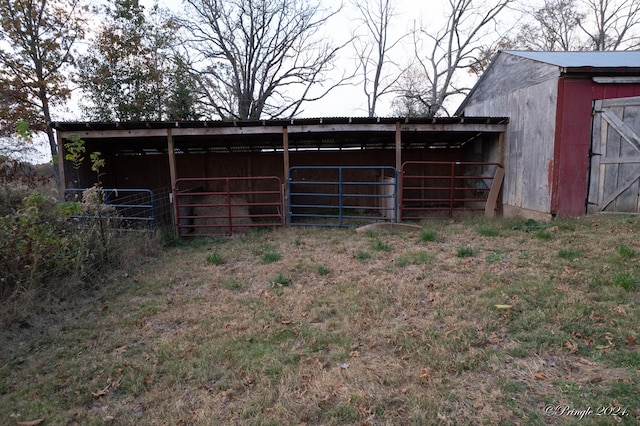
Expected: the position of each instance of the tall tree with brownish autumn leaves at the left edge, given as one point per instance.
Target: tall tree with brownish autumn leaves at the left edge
(37, 39)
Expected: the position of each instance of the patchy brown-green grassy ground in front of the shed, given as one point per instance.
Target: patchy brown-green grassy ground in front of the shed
(465, 322)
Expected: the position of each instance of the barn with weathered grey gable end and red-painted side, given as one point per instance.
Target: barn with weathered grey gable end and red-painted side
(561, 113)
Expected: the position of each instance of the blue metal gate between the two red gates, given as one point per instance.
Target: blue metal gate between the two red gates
(341, 195)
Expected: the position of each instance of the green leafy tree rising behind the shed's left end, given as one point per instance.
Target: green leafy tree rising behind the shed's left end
(127, 72)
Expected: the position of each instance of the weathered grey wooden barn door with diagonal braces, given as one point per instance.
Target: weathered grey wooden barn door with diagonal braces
(615, 157)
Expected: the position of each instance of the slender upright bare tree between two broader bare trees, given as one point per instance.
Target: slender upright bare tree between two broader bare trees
(373, 50)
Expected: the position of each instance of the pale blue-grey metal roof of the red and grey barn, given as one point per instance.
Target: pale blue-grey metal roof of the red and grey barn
(583, 59)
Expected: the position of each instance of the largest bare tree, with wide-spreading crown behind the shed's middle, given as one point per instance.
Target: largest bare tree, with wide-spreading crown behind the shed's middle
(260, 58)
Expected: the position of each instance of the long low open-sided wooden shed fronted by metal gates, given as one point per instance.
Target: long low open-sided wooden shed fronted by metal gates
(347, 162)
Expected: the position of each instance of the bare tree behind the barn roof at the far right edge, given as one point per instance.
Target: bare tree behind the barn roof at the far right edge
(610, 24)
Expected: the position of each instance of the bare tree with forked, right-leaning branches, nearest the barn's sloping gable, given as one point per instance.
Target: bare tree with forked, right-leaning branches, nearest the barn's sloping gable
(450, 50)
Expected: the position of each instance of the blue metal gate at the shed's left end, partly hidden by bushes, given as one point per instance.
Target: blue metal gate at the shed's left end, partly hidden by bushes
(133, 208)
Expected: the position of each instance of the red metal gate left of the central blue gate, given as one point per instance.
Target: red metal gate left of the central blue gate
(211, 206)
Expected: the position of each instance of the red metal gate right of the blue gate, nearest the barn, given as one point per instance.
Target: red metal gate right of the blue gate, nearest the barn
(430, 187)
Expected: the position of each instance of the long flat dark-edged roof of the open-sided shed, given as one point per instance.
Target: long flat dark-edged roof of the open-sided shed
(303, 133)
